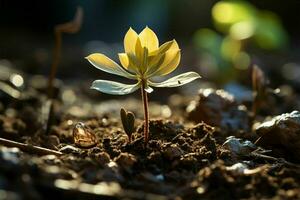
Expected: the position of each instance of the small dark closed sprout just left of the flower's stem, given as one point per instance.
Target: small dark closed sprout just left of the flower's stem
(127, 119)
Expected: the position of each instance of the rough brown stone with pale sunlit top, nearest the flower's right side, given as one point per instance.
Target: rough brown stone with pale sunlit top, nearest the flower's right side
(218, 108)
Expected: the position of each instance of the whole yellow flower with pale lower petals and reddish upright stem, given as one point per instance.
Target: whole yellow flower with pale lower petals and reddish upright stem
(143, 59)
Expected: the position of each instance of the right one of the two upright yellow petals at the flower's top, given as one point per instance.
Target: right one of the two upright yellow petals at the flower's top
(149, 39)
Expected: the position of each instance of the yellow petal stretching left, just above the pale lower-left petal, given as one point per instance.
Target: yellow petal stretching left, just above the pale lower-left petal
(105, 64)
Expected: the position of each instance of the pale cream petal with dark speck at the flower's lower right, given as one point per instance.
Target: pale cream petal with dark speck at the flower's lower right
(177, 80)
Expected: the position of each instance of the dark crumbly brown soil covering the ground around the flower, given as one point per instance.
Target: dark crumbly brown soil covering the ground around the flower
(184, 159)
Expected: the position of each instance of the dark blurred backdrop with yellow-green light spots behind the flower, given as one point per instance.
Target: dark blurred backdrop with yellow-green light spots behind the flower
(219, 39)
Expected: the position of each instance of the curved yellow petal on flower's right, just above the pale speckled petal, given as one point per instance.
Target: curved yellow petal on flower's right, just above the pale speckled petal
(170, 63)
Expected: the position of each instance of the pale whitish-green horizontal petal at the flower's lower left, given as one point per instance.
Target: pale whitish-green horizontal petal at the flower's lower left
(115, 88)
